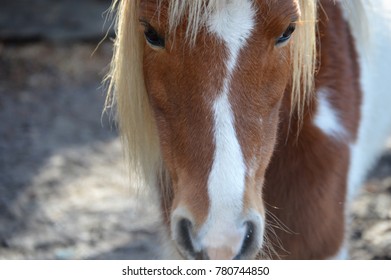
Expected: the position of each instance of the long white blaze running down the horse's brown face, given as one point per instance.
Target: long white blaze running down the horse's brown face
(226, 184)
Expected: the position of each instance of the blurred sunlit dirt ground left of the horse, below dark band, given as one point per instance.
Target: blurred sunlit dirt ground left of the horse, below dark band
(63, 187)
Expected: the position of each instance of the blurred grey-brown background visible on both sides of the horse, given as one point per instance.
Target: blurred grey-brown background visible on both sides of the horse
(64, 192)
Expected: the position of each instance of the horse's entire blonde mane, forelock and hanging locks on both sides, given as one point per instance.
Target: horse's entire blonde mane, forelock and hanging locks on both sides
(126, 82)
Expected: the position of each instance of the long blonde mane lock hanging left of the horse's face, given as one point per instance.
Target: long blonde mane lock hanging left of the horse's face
(127, 93)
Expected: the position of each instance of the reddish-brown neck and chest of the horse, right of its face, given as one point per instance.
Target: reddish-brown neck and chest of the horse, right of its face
(306, 180)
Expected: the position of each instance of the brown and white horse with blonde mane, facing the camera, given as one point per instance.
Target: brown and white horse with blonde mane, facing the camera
(255, 121)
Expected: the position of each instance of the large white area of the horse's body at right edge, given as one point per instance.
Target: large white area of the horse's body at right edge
(375, 60)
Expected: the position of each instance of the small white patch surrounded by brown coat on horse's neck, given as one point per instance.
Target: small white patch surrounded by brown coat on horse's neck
(327, 118)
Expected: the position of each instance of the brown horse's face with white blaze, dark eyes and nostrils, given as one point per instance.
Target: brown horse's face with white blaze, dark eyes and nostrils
(216, 105)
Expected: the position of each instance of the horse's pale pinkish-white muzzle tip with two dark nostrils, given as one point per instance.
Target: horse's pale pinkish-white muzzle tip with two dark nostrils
(223, 242)
